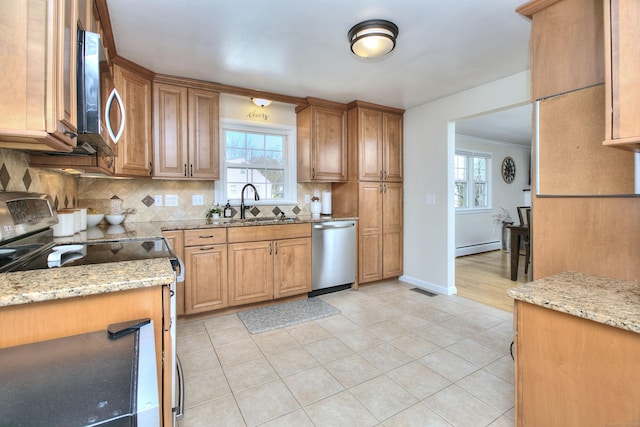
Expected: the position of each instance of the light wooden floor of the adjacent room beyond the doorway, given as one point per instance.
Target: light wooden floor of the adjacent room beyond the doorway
(485, 278)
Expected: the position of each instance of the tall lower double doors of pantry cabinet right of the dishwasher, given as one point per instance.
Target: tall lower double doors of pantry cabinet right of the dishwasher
(380, 231)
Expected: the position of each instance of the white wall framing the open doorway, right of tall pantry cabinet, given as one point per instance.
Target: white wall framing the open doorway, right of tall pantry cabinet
(429, 146)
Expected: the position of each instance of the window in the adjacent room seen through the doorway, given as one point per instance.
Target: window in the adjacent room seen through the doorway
(472, 173)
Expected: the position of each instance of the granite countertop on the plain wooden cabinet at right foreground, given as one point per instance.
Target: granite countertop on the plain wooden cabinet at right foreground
(605, 300)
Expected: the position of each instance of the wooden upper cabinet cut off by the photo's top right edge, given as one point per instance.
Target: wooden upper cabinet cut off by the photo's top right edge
(622, 83)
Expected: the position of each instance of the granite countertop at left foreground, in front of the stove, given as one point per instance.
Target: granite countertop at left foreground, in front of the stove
(58, 283)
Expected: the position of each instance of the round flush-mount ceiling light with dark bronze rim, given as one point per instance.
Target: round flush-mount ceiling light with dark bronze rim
(373, 38)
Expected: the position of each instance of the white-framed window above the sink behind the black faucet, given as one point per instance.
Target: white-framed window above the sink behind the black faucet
(260, 155)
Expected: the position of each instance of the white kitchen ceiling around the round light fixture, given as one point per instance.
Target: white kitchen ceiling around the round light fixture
(300, 48)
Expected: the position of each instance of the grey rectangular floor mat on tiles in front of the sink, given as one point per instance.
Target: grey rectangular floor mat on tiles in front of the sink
(276, 316)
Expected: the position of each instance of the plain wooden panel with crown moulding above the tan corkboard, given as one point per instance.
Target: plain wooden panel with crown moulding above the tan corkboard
(569, 34)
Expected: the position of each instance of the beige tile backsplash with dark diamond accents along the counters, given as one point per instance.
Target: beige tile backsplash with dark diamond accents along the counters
(137, 195)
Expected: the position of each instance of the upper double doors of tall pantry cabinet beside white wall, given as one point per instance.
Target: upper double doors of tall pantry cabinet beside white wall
(379, 141)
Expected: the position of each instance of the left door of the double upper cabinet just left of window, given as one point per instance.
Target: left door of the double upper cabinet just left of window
(170, 152)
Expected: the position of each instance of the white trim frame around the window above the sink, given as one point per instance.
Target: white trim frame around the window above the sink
(290, 180)
